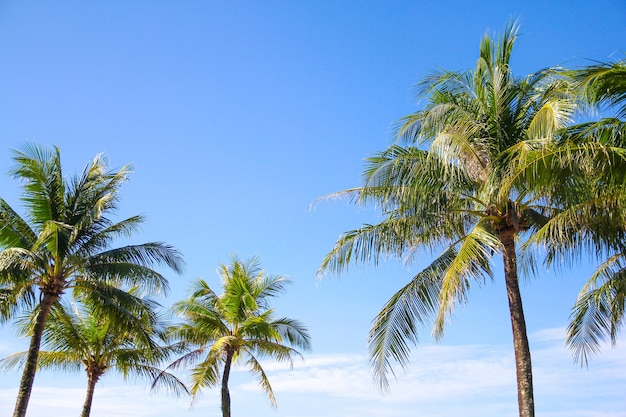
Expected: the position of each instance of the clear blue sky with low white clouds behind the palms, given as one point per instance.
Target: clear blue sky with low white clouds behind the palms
(237, 116)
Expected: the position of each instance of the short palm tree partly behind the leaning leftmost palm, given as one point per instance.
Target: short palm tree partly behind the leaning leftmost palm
(77, 338)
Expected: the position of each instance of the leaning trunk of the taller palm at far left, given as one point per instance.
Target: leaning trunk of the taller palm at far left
(28, 376)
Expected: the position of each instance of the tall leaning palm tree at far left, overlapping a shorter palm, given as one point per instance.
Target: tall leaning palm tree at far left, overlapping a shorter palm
(63, 245)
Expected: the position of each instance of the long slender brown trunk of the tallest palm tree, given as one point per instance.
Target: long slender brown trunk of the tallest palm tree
(523, 366)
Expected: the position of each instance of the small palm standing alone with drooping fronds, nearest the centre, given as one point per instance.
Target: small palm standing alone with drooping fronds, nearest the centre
(236, 326)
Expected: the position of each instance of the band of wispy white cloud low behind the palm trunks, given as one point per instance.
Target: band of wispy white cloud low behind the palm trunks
(468, 380)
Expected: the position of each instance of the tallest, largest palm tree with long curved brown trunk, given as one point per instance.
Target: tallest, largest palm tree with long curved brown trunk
(450, 188)
